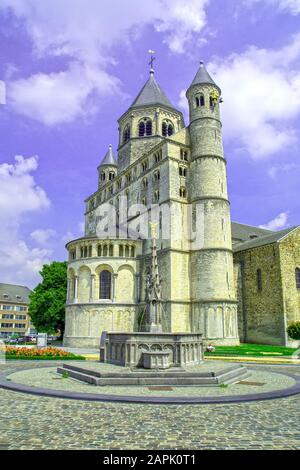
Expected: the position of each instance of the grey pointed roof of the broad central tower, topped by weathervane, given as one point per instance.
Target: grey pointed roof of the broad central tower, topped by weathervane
(151, 94)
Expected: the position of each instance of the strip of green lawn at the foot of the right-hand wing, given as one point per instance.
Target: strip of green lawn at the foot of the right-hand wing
(246, 349)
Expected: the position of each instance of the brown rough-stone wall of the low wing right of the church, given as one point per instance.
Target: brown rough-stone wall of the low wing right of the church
(269, 301)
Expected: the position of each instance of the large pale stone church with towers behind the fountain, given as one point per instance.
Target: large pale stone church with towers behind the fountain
(234, 283)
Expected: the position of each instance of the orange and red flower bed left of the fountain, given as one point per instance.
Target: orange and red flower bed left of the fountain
(49, 353)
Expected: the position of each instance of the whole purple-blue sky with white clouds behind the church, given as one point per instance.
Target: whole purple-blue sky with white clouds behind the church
(70, 68)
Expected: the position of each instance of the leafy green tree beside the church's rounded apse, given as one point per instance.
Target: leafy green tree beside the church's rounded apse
(47, 300)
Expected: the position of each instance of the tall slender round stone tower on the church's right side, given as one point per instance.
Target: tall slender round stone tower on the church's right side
(212, 278)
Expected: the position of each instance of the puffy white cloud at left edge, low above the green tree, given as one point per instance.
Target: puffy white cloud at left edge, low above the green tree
(19, 197)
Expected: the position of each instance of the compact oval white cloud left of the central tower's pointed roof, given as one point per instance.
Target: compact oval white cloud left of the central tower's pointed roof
(61, 97)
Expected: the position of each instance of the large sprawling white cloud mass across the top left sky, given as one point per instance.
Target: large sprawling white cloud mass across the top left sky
(83, 34)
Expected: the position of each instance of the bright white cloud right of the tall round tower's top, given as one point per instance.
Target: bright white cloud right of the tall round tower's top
(261, 89)
